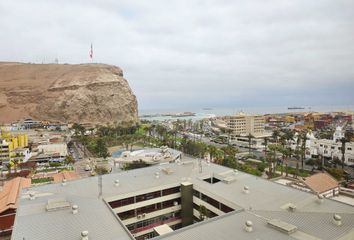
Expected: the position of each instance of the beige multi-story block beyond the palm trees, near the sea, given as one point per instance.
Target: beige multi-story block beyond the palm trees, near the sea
(243, 125)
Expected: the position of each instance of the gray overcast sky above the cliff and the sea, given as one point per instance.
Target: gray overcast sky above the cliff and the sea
(197, 53)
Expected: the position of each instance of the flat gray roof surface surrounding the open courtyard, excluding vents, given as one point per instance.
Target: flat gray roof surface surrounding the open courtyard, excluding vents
(265, 201)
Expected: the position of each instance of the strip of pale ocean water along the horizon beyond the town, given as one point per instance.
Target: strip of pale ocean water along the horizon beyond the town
(211, 112)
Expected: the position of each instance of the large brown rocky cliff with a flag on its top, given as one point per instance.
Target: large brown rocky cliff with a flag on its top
(84, 93)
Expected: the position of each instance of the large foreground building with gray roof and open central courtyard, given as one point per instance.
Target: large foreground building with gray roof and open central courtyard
(137, 204)
